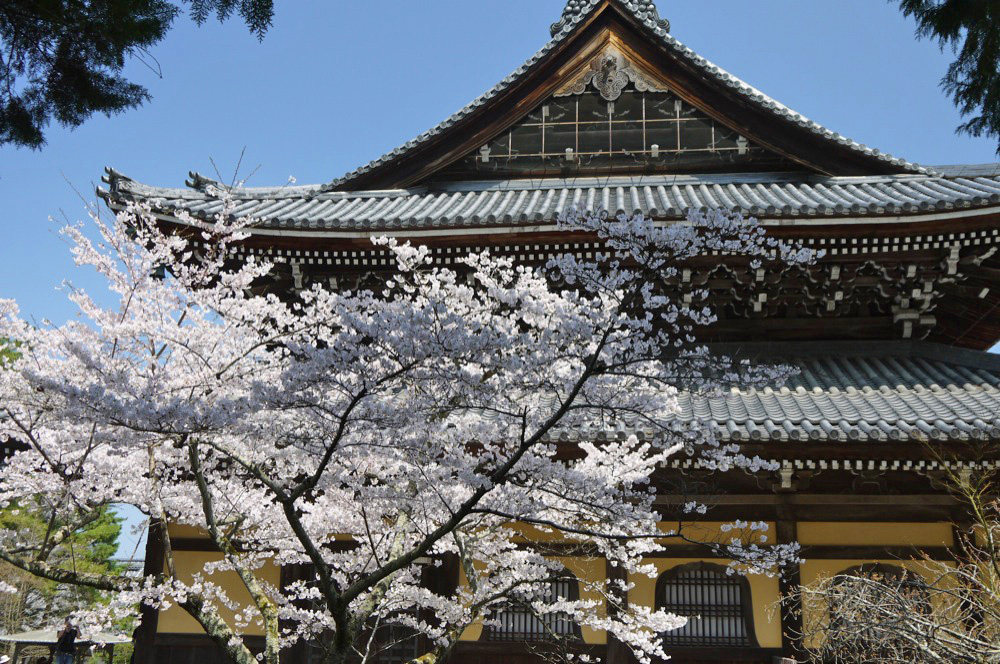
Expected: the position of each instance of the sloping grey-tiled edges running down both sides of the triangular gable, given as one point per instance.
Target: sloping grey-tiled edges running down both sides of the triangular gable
(640, 9)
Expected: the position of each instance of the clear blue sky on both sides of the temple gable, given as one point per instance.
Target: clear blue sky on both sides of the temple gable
(335, 84)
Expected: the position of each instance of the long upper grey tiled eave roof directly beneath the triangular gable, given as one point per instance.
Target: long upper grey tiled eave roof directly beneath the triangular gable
(483, 204)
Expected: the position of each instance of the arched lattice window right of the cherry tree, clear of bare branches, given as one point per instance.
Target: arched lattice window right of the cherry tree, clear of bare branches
(717, 604)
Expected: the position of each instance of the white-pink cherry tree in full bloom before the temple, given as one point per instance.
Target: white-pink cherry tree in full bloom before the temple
(366, 436)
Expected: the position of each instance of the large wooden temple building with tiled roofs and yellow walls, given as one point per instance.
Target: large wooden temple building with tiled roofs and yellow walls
(890, 328)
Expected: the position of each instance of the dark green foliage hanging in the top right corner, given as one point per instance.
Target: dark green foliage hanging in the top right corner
(971, 28)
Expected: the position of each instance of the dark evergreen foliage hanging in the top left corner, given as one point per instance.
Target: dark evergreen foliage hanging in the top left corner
(62, 60)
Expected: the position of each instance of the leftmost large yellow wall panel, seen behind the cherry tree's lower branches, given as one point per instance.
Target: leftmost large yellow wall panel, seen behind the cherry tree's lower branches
(176, 620)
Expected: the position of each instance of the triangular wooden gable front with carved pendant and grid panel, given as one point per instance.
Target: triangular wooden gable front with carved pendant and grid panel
(614, 116)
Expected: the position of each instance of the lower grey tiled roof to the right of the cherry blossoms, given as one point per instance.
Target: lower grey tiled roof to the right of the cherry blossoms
(882, 392)
